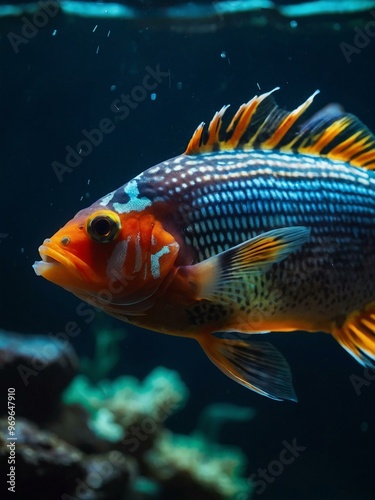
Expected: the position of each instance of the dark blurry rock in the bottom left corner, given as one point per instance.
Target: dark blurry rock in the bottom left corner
(47, 468)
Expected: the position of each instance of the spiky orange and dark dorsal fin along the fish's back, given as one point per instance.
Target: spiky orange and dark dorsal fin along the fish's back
(261, 124)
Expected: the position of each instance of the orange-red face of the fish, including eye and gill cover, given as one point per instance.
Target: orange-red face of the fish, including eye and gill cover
(109, 259)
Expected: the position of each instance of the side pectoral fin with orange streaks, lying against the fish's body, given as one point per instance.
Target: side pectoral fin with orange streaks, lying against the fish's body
(211, 277)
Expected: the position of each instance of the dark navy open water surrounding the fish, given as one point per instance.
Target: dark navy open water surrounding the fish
(58, 85)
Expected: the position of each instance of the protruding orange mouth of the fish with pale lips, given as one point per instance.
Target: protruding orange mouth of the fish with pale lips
(57, 267)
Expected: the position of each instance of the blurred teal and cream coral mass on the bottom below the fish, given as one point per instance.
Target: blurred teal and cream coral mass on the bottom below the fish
(131, 414)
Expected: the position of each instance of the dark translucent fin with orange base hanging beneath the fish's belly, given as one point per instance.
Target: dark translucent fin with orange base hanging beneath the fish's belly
(259, 366)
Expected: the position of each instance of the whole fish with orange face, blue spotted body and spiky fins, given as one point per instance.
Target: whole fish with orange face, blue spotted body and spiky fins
(266, 223)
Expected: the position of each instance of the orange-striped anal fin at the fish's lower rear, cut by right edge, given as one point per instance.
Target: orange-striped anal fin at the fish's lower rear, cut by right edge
(357, 335)
